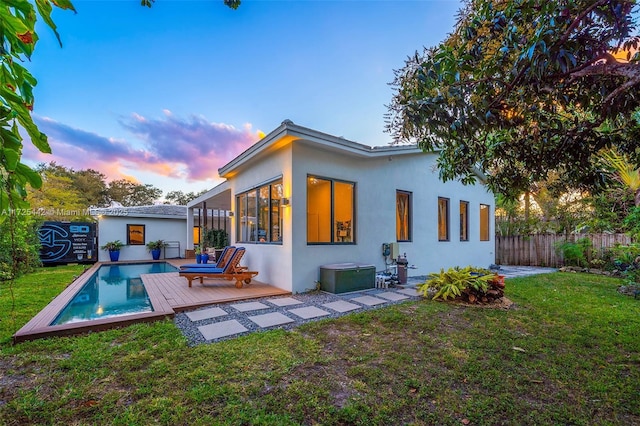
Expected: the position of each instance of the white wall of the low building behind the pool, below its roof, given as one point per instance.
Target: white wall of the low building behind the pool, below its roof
(112, 228)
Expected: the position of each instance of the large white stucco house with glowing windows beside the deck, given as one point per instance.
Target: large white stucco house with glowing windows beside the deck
(300, 199)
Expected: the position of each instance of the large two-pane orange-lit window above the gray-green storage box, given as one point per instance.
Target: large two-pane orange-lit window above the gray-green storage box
(330, 211)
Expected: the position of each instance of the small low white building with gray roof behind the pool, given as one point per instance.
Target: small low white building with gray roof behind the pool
(136, 226)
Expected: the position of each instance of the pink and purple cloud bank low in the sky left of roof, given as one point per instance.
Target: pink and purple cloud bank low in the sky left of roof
(191, 149)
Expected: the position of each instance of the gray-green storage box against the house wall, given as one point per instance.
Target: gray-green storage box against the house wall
(345, 277)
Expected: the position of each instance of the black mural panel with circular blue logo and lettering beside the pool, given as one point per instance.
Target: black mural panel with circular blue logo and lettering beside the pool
(68, 242)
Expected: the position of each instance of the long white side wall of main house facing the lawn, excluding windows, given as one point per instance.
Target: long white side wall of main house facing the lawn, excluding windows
(377, 180)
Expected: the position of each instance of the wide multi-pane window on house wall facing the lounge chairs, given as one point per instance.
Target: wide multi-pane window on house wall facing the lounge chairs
(259, 218)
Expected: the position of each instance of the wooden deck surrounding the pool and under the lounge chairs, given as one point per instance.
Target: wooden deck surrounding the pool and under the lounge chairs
(168, 292)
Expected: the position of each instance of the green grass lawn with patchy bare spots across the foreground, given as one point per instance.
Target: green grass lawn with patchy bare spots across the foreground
(568, 352)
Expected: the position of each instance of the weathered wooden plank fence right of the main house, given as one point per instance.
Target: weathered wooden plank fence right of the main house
(540, 249)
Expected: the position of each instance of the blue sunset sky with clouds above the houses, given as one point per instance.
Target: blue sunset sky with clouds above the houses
(167, 95)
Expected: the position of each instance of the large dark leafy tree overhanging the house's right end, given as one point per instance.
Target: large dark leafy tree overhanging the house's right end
(523, 88)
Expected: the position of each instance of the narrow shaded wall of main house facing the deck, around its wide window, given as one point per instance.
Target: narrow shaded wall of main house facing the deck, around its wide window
(273, 261)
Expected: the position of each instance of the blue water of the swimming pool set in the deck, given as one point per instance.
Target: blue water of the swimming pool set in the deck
(113, 290)
